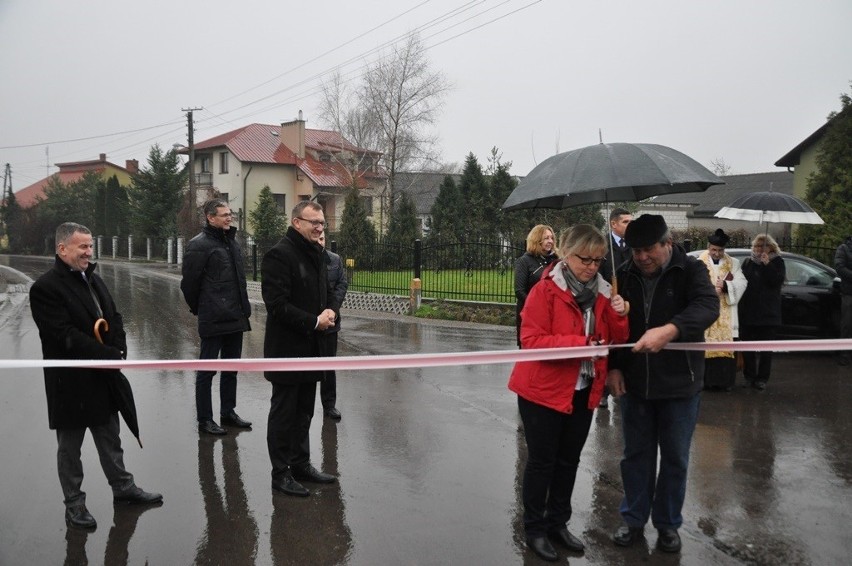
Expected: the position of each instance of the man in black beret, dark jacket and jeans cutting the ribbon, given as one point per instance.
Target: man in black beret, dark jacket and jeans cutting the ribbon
(671, 299)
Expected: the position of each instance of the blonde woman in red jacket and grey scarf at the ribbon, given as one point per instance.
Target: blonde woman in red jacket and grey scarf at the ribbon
(570, 306)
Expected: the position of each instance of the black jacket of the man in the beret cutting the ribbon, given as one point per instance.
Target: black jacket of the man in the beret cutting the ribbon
(683, 296)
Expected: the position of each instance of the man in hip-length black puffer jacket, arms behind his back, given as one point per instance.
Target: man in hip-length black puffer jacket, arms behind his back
(214, 286)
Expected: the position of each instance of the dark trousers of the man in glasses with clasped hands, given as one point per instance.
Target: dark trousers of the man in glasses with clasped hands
(289, 424)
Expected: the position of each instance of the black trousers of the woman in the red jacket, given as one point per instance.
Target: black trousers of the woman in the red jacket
(554, 443)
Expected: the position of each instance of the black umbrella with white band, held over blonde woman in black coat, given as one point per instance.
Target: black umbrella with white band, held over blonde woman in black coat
(768, 206)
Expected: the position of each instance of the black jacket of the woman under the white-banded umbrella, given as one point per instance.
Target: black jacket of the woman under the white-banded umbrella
(760, 305)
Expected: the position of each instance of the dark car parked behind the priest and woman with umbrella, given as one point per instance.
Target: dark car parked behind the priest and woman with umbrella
(810, 297)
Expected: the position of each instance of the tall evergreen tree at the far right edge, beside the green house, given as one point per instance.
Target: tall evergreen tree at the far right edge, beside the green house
(830, 186)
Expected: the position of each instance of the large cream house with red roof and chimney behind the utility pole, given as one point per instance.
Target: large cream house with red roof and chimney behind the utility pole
(296, 163)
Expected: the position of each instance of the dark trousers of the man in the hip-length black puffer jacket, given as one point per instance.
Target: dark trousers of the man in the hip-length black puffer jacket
(230, 346)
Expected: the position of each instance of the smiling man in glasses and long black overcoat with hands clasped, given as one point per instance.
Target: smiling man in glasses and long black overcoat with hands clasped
(298, 298)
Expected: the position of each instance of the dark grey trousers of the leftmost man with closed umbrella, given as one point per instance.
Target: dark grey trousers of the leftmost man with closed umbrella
(108, 444)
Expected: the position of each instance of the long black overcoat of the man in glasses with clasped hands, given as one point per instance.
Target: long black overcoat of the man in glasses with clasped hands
(295, 290)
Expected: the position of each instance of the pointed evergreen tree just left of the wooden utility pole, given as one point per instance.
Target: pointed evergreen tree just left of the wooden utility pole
(156, 195)
